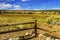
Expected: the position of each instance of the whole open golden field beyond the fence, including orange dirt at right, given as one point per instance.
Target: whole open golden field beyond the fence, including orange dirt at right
(48, 20)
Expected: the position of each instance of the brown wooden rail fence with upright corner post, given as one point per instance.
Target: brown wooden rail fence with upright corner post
(11, 31)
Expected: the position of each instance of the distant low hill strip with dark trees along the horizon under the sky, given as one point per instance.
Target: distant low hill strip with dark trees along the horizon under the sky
(29, 11)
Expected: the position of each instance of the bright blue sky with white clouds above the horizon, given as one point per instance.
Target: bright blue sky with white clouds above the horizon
(29, 4)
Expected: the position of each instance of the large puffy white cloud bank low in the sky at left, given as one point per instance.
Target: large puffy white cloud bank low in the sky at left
(9, 6)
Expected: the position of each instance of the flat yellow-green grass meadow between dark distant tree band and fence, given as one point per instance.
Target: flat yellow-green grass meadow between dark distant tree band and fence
(19, 18)
